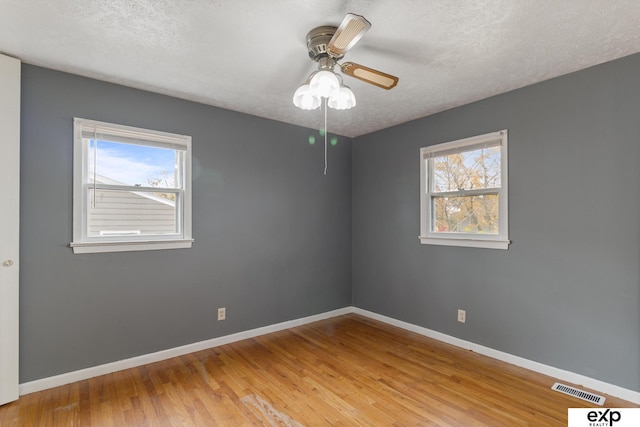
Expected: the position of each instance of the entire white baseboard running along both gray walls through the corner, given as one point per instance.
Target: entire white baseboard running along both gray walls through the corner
(83, 374)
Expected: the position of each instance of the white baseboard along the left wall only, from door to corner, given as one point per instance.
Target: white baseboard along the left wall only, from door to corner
(107, 368)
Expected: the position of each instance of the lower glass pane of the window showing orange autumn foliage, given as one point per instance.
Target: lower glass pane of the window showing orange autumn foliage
(469, 214)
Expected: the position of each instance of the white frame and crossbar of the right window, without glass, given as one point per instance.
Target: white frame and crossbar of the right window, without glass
(476, 240)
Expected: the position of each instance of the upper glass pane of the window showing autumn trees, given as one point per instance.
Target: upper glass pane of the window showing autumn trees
(469, 170)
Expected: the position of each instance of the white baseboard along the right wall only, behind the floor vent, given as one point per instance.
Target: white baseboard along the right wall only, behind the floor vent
(601, 386)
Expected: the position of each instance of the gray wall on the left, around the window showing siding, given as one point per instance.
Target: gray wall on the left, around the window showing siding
(272, 234)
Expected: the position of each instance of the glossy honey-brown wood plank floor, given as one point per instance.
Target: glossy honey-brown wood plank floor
(345, 371)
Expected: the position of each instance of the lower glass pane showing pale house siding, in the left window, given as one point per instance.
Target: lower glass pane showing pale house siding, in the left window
(127, 213)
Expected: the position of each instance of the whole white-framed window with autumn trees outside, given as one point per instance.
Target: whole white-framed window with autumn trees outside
(463, 192)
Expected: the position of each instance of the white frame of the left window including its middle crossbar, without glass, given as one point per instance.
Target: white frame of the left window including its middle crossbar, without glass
(82, 242)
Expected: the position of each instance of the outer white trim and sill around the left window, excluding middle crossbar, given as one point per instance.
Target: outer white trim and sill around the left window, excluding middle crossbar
(84, 244)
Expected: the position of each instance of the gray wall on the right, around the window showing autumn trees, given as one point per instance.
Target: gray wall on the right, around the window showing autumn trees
(567, 291)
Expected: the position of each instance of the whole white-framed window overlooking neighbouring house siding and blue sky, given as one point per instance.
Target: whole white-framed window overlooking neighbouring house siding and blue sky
(131, 189)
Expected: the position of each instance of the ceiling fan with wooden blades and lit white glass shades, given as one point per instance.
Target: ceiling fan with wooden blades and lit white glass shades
(327, 45)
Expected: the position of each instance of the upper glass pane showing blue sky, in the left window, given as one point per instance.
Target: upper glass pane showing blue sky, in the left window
(136, 165)
